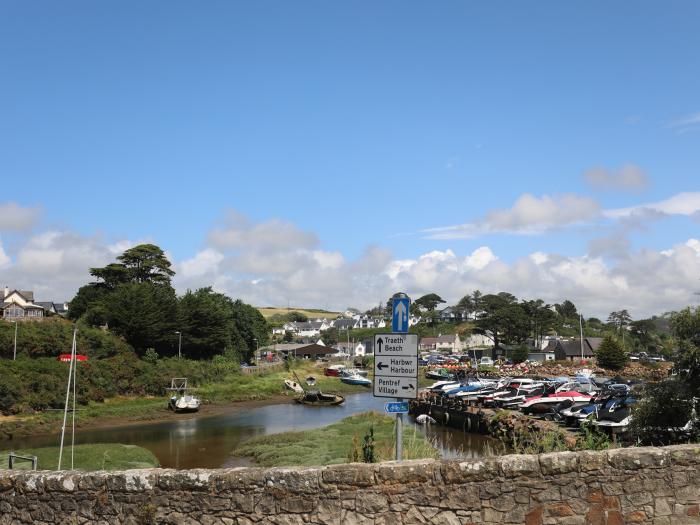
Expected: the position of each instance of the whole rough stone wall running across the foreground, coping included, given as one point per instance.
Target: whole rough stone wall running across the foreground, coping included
(636, 485)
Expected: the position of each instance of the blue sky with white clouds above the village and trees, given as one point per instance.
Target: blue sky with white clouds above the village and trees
(328, 154)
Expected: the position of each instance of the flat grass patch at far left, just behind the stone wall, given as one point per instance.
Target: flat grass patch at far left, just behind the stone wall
(103, 456)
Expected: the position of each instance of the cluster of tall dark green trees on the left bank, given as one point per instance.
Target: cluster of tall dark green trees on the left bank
(134, 298)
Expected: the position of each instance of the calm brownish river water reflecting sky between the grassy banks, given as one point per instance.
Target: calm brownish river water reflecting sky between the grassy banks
(207, 442)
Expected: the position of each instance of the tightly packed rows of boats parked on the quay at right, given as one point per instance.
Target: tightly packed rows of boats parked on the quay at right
(605, 403)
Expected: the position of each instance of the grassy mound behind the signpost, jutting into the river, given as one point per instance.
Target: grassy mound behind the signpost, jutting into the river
(340, 442)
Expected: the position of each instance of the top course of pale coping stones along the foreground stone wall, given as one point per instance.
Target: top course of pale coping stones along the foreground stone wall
(310, 479)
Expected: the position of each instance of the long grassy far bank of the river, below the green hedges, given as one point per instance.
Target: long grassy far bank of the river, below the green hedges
(231, 388)
